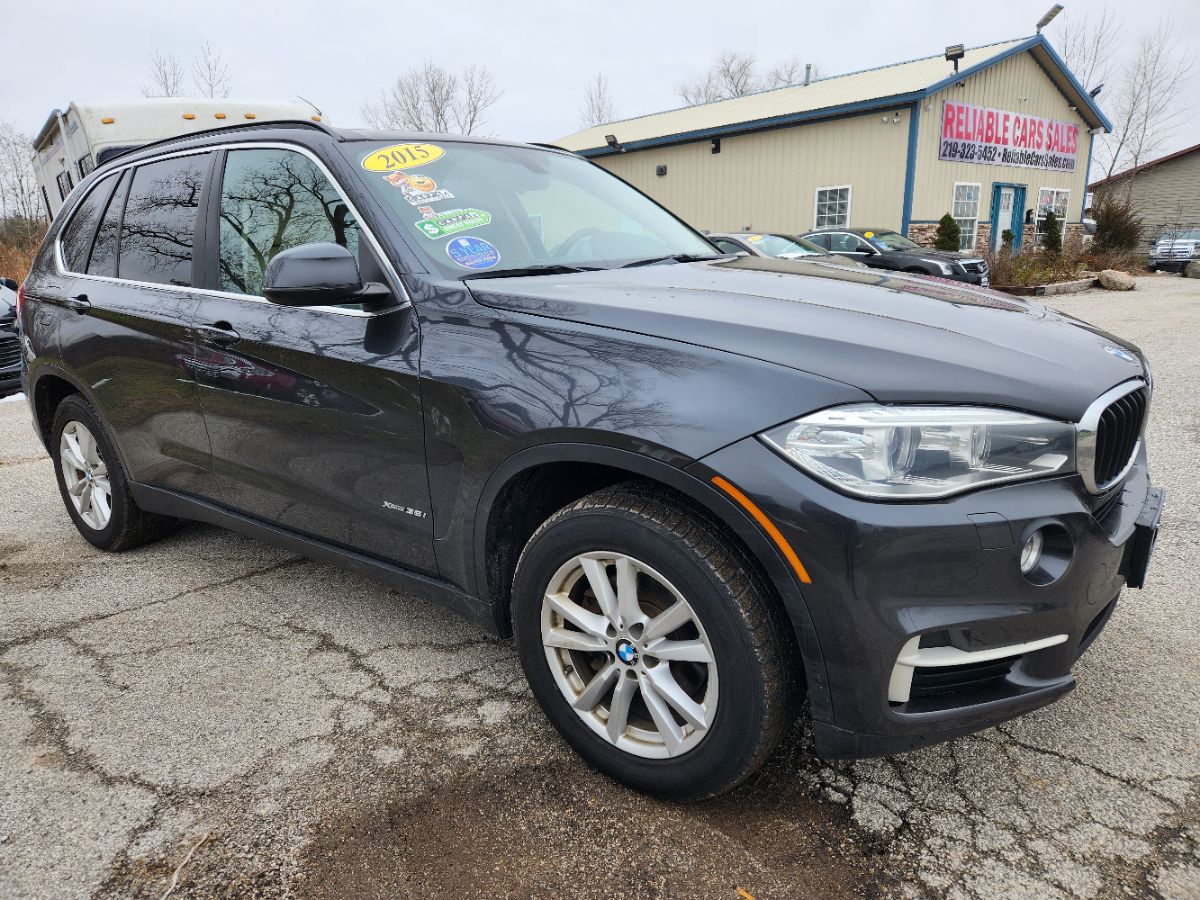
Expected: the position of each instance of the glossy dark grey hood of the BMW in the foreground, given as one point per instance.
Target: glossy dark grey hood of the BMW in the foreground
(901, 339)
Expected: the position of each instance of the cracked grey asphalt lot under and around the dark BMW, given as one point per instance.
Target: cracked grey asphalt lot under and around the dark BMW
(292, 730)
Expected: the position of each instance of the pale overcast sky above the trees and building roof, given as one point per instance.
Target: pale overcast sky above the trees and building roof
(343, 52)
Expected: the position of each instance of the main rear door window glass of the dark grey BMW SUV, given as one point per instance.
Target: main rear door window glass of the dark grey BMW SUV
(159, 230)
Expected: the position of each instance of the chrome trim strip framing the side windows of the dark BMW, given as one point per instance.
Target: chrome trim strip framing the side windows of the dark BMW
(398, 285)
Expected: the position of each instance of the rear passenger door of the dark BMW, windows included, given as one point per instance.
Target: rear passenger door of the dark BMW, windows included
(127, 332)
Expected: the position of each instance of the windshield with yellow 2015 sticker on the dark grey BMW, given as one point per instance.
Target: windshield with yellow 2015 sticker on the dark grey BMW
(485, 207)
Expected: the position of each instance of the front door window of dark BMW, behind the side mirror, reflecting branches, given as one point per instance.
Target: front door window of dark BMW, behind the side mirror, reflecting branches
(272, 201)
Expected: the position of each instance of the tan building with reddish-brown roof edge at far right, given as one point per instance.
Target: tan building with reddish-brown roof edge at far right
(1166, 193)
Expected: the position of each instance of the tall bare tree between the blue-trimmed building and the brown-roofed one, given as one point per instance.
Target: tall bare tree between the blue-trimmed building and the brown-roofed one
(1150, 104)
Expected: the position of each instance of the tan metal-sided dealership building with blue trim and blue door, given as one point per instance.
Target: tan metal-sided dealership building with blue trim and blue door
(995, 141)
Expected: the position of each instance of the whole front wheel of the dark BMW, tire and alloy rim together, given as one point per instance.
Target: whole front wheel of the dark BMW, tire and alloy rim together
(743, 698)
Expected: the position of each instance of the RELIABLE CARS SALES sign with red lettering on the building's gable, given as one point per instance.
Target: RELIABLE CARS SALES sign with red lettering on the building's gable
(998, 137)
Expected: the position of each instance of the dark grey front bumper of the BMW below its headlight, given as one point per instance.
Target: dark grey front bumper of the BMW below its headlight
(886, 573)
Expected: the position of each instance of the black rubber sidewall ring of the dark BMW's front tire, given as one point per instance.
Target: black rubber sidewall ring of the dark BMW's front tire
(724, 755)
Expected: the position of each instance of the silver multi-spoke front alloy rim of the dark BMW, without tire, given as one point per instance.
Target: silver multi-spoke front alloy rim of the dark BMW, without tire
(629, 655)
